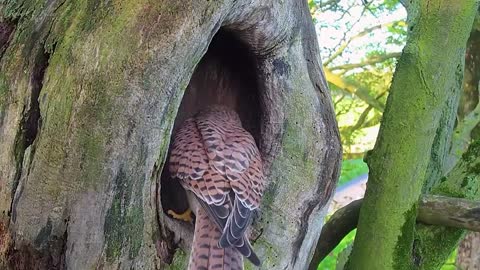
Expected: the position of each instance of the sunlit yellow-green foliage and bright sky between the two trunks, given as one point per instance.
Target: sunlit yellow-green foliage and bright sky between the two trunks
(360, 41)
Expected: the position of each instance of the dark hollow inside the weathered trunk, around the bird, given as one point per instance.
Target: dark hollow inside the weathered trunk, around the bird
(227, 75)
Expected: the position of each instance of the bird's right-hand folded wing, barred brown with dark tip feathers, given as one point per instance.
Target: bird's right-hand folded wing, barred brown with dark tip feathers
(233, 154)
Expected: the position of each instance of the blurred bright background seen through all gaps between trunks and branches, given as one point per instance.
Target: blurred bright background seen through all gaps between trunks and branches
(360, 41)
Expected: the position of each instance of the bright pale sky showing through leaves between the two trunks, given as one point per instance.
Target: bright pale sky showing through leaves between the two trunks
(334, 27)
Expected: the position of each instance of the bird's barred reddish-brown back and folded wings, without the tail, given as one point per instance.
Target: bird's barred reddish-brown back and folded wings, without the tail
(212, 156)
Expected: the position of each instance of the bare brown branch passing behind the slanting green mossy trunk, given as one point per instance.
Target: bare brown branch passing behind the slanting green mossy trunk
(432, 210)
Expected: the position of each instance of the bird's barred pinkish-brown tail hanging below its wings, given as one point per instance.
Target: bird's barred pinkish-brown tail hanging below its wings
(206, 253)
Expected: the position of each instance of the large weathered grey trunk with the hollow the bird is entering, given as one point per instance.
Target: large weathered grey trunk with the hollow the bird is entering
(90, 92)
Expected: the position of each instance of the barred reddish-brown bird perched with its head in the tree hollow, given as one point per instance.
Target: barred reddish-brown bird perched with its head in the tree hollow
(219, 165)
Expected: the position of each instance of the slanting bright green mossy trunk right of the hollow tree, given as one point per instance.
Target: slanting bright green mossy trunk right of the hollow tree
(422, 83)
